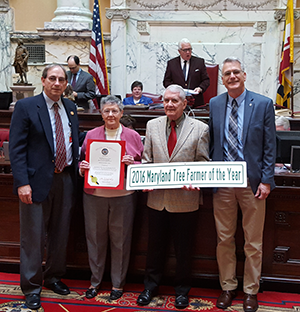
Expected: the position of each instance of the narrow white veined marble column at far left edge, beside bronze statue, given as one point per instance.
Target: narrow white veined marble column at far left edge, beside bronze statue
(6, 26)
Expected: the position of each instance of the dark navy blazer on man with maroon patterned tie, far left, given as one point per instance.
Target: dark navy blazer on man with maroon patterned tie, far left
(31, 144)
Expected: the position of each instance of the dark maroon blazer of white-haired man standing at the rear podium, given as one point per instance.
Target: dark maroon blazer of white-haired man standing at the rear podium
(197, 76)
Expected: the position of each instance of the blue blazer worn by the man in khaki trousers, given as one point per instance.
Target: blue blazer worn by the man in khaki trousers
(259, 136)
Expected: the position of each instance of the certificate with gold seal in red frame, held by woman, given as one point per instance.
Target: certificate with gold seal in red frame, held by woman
(106, 167)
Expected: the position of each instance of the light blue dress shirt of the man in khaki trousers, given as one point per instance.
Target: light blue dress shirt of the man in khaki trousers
(240, 103)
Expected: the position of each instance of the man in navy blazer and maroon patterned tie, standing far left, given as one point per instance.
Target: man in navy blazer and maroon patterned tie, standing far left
(44, 165)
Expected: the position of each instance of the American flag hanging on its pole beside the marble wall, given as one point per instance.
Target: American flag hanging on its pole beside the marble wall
(97, 62)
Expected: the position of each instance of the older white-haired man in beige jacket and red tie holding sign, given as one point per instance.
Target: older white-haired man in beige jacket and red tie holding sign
(172, 138)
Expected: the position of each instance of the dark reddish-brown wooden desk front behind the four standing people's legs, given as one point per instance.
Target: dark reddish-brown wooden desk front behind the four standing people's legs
(281, 260)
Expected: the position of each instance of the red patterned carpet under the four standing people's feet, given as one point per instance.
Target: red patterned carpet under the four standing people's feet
(12, 299)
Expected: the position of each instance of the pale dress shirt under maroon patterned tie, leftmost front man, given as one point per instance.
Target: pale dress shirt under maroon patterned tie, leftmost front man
(66, 126)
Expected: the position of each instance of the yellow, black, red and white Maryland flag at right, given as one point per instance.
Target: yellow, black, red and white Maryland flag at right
(287, 58)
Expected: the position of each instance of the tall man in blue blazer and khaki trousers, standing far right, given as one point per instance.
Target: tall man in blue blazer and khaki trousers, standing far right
(242, 127)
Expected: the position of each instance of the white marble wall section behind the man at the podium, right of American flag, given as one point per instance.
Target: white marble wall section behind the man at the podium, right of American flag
(144, 35)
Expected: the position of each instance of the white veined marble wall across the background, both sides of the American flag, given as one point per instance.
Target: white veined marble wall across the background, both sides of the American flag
(144, 36)
